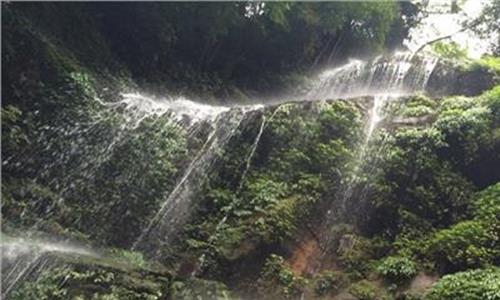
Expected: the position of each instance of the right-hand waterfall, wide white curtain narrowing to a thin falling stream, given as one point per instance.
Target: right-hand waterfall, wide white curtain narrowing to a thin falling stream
(384, 81)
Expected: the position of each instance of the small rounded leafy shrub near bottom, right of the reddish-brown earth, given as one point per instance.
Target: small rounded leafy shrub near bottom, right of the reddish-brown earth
(397, 269)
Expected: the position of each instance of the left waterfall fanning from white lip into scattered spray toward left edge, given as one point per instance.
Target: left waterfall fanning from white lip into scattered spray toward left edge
(72, 153)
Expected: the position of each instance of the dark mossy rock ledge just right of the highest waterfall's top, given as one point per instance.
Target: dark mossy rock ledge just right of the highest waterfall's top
(448, 78)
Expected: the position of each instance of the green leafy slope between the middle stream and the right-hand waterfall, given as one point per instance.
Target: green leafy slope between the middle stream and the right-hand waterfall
(301, 156)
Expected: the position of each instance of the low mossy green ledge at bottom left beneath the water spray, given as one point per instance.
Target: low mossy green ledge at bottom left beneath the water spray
(93, 279)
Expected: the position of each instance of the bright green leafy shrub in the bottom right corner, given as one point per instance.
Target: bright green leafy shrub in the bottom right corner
(470, 285)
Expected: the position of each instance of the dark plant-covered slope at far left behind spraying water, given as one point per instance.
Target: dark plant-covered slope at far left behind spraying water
(156, 149)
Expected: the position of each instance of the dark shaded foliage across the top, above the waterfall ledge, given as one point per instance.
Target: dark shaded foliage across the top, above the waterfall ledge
(199, 47)
